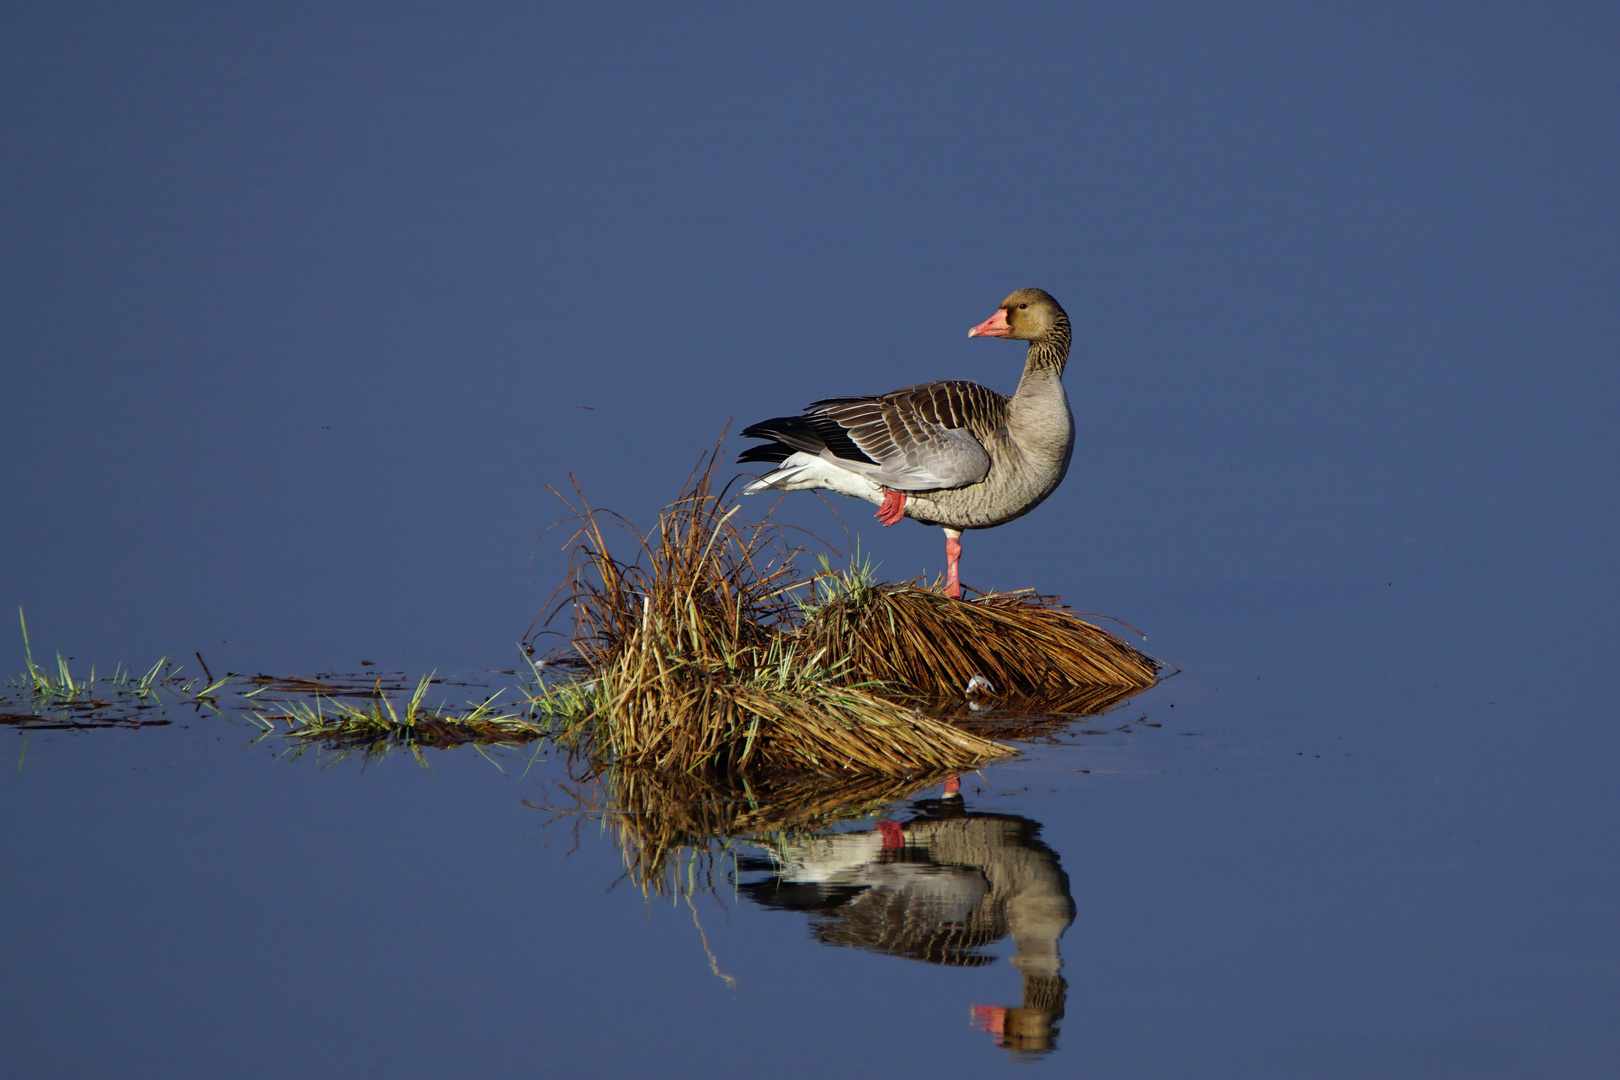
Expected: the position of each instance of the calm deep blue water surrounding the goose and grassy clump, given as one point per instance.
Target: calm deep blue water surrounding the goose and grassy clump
(304, 310)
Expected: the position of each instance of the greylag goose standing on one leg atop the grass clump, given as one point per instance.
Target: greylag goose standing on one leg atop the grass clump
(950, 454)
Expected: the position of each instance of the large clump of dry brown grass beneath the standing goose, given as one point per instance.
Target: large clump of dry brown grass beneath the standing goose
(710, 653)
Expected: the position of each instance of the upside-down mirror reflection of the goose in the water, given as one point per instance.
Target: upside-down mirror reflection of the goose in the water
(939, 888)
